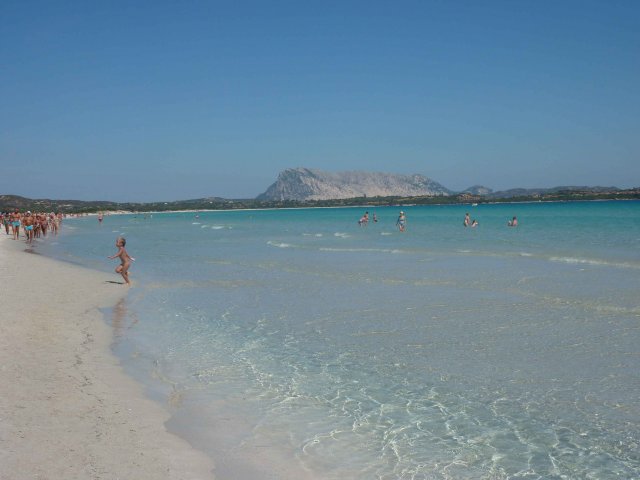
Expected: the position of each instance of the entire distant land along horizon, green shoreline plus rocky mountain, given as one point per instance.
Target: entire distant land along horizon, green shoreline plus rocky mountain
(304, 187)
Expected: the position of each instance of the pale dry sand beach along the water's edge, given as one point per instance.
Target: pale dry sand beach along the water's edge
(67, 410)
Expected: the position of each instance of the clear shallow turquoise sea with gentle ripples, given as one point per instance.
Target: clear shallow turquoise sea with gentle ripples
(296, 343)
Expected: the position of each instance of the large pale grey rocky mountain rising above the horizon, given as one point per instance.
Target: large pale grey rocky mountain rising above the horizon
(310, 184)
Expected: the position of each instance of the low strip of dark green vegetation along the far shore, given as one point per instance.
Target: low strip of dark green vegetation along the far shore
(12, 202)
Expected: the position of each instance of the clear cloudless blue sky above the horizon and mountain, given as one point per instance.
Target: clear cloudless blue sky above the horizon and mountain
(169, 100)
